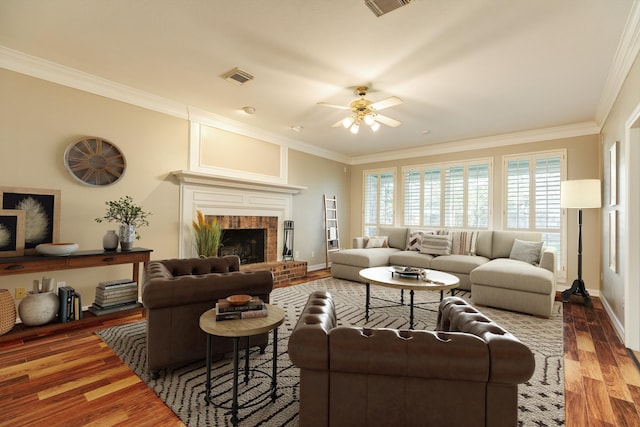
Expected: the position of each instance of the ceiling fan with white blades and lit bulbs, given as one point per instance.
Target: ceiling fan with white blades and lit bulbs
(363, 110)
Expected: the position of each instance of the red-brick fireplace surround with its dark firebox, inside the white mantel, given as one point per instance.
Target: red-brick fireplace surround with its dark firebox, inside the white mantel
(253, 238)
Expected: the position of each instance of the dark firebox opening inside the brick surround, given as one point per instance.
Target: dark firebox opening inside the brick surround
(247, 243)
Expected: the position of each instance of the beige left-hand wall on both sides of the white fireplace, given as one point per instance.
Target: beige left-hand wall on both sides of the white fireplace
(39, 119)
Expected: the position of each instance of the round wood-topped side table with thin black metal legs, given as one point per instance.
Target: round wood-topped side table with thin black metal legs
(236, 329)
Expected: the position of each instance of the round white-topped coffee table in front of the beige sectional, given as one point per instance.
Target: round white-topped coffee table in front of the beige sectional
(388, 277)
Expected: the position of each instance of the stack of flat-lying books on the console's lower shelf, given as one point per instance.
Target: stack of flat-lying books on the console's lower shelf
(114, 296)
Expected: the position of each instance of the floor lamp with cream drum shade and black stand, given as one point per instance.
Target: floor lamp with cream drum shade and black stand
(579, 194)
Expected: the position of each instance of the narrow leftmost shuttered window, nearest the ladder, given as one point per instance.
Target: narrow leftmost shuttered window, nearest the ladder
(378, 200)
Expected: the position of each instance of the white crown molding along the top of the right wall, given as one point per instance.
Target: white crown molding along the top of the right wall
(626, 54)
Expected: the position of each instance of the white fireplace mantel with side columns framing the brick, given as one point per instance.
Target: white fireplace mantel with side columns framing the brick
(219, 195)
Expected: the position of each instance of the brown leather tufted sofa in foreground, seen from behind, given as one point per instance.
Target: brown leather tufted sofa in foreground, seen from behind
(466, 373)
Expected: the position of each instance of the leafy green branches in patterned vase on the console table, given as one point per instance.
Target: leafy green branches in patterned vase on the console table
(130, 217)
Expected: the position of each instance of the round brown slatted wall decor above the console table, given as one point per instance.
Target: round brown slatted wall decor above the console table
(95, 161)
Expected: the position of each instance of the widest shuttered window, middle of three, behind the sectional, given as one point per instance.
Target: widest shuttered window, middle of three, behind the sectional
(449, 195)
